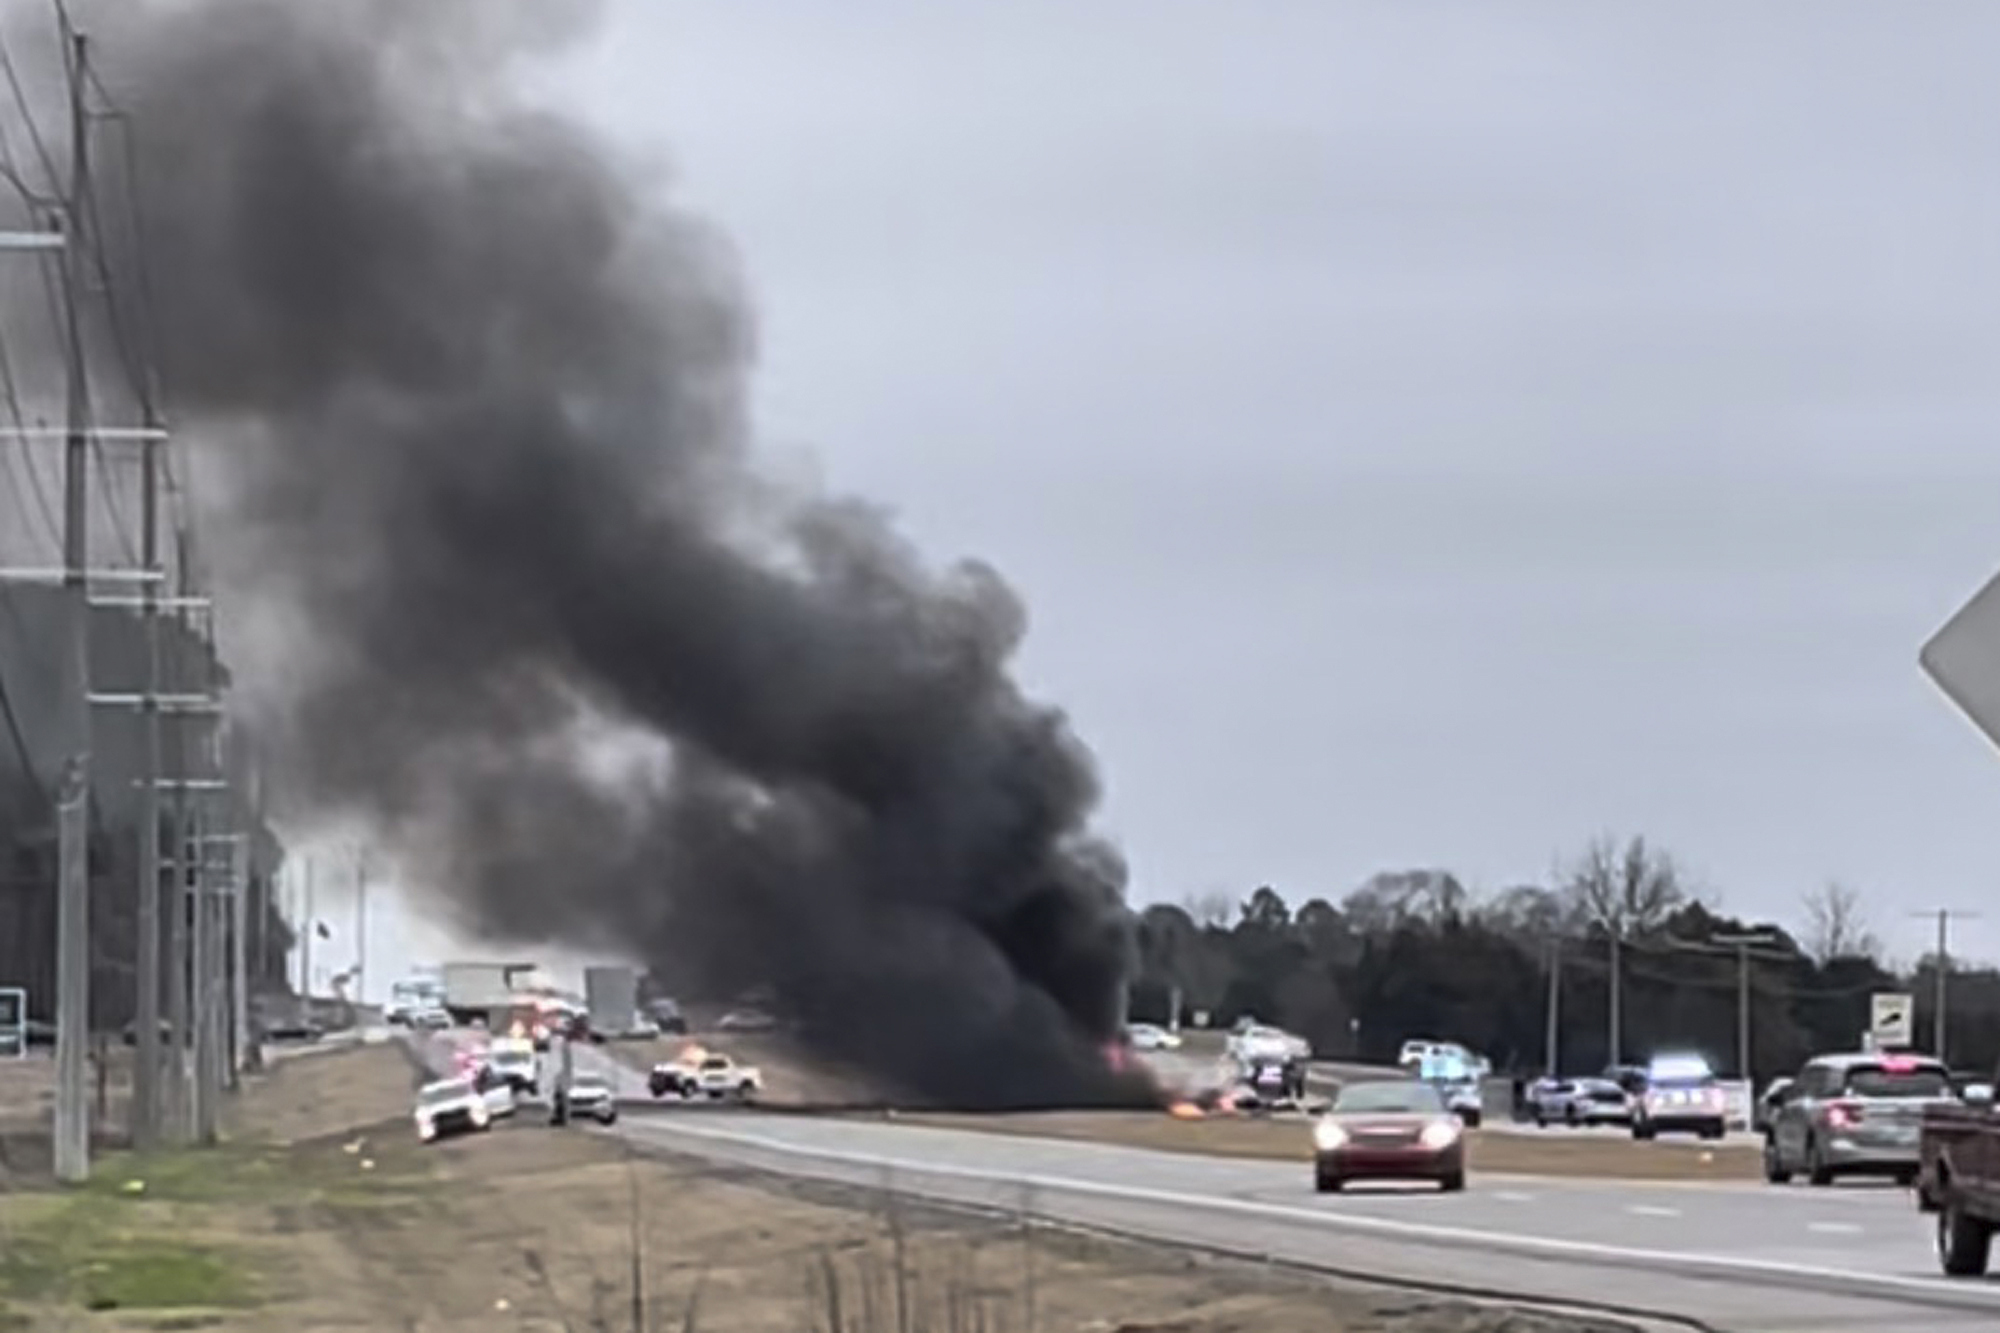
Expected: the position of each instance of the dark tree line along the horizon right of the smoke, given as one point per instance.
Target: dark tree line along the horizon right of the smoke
(1619, 950)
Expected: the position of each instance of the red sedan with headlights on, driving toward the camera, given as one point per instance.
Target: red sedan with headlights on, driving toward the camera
(1389, 1132)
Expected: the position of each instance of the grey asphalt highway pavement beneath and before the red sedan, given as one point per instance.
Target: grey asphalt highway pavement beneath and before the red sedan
(1735, 1256)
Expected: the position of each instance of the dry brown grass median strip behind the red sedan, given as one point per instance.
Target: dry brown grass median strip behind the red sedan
(1287, 1140)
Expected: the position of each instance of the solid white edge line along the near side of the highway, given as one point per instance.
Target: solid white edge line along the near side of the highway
(1957, 1294)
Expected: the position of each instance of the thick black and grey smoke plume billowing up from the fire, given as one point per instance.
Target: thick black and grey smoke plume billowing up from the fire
(481, 409)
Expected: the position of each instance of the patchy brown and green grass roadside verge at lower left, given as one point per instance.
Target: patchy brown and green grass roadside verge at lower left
(307, 1224)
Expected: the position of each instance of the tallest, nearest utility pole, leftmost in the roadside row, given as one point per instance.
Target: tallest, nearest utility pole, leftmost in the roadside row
(73, 850)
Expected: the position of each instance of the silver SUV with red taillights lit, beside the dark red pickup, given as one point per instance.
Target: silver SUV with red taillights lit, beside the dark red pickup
(1853, 1116)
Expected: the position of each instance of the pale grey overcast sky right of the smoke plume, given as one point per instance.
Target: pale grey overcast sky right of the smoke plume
(1423, 433)
